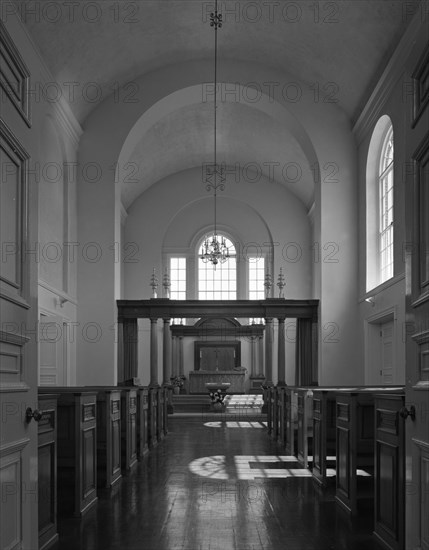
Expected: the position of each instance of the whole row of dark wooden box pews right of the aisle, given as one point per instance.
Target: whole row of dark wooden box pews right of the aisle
(353, 435)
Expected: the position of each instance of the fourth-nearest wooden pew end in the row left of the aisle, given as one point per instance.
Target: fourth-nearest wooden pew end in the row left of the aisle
(128, 427)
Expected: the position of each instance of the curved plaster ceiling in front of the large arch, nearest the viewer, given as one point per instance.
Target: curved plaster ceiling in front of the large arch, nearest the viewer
(352, 39)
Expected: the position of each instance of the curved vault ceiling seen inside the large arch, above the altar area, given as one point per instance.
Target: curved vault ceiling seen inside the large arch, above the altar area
(249, 142)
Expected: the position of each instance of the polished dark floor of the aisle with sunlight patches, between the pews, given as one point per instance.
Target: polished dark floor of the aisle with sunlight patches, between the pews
(216, 484)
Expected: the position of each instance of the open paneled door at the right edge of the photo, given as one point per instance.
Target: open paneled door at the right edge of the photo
(416, 328)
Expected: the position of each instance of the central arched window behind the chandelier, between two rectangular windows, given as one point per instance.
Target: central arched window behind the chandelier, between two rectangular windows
(219, 283)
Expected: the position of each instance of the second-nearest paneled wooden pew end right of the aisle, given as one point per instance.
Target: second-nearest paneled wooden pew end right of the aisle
(355, 446)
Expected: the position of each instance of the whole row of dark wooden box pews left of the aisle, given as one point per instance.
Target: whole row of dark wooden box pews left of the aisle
(88, 438)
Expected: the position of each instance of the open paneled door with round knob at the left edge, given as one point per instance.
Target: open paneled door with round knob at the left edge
(18, 335)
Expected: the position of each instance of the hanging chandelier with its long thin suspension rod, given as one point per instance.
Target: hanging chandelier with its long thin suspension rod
(214, 249)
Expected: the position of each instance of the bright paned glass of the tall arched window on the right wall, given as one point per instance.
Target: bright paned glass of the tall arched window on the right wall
(385, 186)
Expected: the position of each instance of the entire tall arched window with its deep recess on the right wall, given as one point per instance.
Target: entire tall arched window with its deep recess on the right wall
(380, 205)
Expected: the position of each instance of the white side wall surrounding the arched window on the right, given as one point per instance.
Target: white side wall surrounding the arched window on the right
(388, 99)
